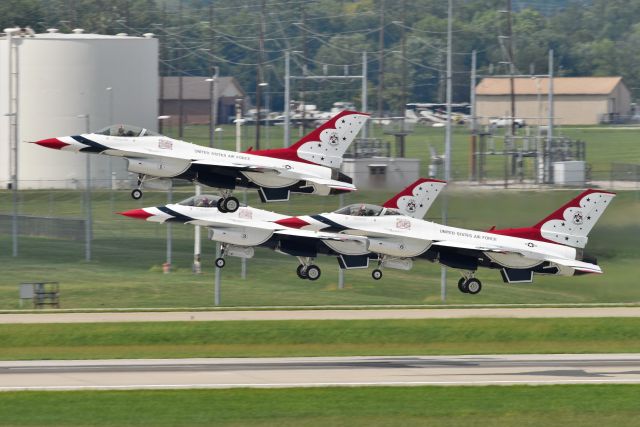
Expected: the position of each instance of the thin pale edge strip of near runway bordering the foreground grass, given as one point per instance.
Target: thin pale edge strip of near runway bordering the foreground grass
(327, 384)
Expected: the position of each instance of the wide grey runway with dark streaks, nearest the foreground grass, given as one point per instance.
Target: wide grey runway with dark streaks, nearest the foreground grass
(320, 372)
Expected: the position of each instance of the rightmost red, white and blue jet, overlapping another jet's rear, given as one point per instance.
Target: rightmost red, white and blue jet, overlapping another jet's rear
(553, 246)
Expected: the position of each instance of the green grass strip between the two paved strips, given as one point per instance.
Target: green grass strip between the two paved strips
(318, 338)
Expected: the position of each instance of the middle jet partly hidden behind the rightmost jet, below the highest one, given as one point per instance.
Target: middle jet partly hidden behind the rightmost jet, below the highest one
(249, 227)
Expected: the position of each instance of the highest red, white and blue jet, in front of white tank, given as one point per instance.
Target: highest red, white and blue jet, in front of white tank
(309, 166)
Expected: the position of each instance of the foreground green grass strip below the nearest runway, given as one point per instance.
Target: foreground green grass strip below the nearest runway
(574, 405)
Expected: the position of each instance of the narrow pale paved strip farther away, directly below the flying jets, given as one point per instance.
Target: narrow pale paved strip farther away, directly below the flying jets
(320, 314)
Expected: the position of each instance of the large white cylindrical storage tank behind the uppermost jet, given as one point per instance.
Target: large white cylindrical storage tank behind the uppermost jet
(67, 82)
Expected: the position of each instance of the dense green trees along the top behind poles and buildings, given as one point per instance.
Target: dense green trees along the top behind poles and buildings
(405, 40)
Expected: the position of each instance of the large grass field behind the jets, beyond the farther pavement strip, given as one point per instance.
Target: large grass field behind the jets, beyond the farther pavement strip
(128, 254)
